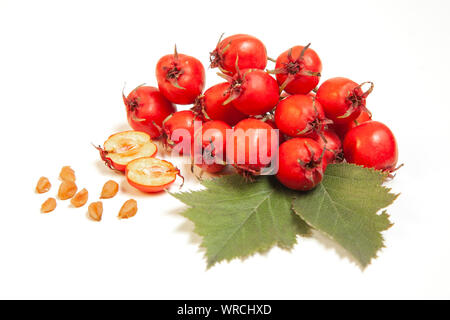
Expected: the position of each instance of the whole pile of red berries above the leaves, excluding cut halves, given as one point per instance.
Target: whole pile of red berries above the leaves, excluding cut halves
(317, 125)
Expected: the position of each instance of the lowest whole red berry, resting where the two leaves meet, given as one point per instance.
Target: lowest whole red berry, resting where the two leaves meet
(291, 173)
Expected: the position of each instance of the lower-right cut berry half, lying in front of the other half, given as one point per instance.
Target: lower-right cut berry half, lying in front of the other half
(151, 174)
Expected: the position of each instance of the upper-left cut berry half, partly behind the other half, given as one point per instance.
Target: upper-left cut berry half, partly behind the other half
(123, 147)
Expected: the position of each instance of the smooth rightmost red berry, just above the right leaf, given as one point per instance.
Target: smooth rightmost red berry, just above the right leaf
(372, 145)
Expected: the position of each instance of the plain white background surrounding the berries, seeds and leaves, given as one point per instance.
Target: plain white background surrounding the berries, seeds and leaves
(62, 68)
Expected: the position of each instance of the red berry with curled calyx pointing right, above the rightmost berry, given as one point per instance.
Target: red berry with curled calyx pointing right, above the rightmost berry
(342, 99)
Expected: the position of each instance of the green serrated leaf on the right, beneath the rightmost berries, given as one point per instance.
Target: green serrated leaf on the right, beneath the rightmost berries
(345, 207)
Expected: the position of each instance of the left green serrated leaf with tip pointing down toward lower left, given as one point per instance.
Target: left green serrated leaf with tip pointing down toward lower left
(237, 218)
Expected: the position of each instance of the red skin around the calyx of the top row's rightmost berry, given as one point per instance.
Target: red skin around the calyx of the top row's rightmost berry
(302, 84)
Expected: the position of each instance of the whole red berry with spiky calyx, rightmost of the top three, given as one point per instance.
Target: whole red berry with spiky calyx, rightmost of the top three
(298, 70)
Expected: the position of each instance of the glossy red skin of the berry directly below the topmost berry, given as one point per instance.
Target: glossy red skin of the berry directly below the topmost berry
(259, 93)
